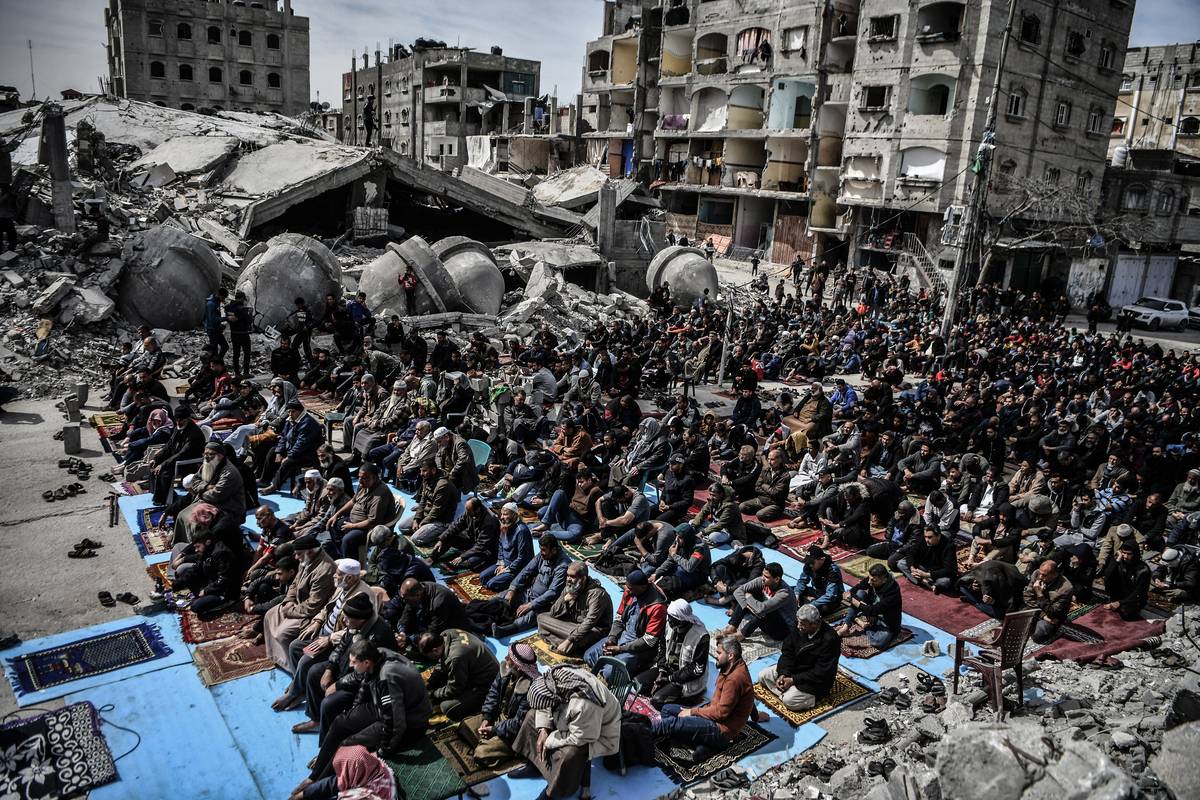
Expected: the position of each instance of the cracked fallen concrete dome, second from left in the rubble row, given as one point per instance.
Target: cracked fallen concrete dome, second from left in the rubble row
(285, 268)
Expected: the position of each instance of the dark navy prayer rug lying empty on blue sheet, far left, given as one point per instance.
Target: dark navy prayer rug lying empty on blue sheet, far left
(93, 657)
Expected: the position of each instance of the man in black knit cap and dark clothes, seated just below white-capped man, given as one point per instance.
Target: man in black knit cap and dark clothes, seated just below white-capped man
(326, 701)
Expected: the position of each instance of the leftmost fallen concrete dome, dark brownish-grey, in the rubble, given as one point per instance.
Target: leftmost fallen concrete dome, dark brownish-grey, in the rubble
(167, 280)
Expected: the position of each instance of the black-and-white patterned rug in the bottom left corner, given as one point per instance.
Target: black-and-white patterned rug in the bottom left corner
(61, 754)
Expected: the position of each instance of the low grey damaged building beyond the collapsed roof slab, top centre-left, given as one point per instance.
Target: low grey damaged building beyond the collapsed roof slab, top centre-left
(430, 100)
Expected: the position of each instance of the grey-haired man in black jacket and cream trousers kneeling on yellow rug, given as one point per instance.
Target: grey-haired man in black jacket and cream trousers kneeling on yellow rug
(808, 663)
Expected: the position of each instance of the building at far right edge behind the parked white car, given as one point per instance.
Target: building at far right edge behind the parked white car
(1155, 177)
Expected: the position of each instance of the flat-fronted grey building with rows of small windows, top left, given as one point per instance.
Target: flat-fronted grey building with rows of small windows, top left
(220, 55)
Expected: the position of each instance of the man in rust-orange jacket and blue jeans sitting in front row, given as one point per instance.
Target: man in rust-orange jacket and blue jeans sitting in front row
(715, 725)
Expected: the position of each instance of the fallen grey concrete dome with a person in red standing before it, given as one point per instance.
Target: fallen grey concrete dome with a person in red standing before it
(435, 293)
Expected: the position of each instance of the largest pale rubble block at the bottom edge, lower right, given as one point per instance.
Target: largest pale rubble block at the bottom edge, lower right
(977, 762)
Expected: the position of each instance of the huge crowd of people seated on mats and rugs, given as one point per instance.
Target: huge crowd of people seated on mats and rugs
(1060, 459)
